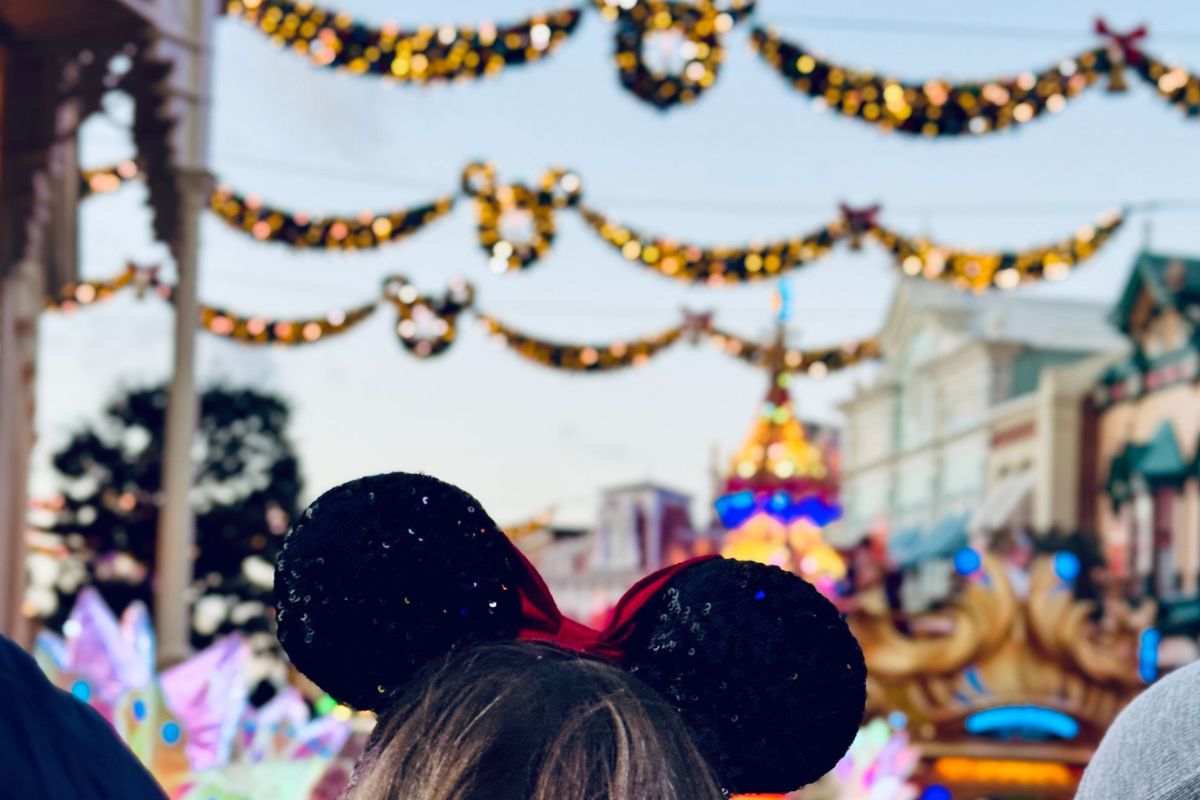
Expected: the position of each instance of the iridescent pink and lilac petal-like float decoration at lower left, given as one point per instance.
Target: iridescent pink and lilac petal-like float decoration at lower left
(193, 725)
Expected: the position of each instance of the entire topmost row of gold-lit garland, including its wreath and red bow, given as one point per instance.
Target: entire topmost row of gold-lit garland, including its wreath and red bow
(668, 53)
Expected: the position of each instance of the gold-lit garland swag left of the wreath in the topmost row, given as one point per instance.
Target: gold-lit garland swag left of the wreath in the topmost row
(427, 55)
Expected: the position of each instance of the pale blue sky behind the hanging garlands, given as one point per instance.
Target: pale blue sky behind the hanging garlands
(752, 159)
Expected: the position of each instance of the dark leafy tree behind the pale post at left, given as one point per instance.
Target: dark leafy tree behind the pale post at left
(247, 491)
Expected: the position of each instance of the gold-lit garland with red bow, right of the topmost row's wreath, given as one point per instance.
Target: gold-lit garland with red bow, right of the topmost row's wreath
(938, 109)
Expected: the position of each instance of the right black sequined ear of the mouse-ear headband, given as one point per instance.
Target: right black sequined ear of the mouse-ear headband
(760, 665)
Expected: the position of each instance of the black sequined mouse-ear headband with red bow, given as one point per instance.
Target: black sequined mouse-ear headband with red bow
(385, 574)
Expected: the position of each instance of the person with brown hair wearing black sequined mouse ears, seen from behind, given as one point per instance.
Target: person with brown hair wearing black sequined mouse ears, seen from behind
(400, 596)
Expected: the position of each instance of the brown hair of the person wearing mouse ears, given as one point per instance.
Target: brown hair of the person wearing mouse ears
(531, 723)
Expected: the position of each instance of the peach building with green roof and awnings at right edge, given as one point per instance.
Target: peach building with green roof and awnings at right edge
(1145, 473)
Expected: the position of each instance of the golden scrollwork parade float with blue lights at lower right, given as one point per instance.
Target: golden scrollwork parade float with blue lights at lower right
(1007, 696)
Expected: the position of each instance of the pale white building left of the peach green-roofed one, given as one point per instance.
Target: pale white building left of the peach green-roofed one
(973, 425)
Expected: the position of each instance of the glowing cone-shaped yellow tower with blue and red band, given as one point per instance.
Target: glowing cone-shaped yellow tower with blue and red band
(782, 492)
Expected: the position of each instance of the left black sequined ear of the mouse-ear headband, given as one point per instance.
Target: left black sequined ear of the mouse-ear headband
(382, 575)
